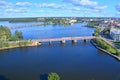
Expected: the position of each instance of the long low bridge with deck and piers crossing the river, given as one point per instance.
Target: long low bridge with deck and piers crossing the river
(63, 39)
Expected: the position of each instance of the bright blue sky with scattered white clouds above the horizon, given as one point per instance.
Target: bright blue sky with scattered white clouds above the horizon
(59, 8)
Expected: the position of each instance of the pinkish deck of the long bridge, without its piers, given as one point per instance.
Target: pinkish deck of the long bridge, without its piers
(65, 38)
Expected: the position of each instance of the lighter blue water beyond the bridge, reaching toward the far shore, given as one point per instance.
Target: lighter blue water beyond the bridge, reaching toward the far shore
(50, 31)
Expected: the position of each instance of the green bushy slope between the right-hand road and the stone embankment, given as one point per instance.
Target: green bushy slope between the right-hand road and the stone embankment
(104, 45)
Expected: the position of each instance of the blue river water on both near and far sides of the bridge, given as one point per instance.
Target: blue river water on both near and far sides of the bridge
(81, 61)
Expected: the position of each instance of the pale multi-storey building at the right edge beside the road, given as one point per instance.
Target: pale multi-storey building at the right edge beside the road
(115, 34)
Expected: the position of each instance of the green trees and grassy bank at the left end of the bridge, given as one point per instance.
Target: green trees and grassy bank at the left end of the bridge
(7, 40)
